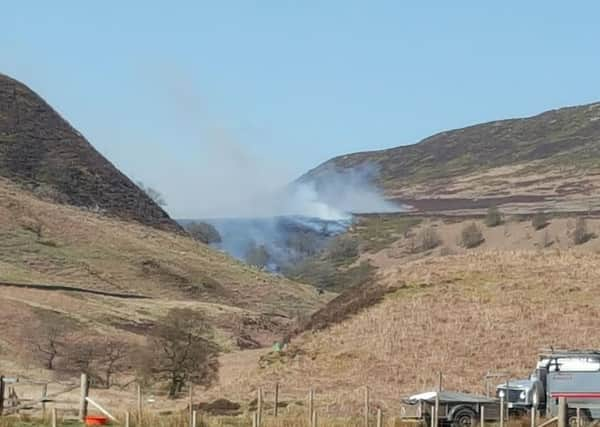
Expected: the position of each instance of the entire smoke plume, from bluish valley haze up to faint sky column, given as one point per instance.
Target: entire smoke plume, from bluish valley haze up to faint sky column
(238, 179)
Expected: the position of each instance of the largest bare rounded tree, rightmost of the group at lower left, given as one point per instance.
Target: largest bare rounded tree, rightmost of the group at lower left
(179, 351)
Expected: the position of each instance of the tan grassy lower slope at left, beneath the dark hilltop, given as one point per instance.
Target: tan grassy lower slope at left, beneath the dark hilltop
(49, 244)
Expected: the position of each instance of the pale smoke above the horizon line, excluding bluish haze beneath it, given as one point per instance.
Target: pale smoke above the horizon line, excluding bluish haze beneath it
(219, 170)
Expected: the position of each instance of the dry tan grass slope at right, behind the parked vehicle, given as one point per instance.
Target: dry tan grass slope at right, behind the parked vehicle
(463, 315)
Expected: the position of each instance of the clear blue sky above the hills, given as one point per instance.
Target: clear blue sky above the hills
(211, 101)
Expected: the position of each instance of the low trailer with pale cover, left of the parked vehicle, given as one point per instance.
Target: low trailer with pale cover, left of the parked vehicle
(455, 408)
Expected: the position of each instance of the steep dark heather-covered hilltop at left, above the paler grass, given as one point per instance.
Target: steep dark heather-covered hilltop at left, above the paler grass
(43, 152)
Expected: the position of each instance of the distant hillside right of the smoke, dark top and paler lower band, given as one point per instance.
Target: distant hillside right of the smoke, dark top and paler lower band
(552, 158)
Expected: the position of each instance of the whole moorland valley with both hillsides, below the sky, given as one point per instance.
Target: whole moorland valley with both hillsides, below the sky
(462, 265)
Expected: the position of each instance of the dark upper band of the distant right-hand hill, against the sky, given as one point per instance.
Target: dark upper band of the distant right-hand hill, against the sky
(571, 133)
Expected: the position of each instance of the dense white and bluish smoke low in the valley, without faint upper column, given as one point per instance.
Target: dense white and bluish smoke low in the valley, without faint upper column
(299, 220)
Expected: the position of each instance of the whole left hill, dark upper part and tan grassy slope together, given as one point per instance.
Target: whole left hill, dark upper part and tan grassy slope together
(81, 243)
